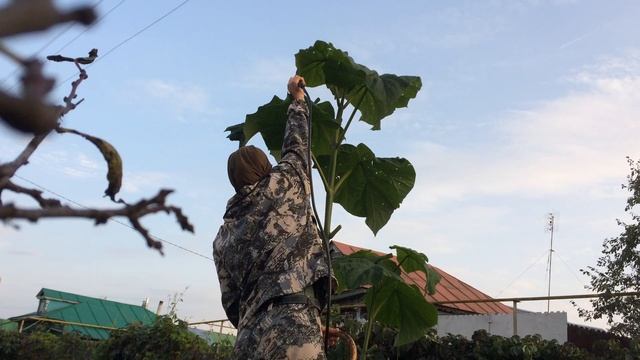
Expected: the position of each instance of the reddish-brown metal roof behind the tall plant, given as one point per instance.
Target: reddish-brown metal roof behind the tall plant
(449, 288)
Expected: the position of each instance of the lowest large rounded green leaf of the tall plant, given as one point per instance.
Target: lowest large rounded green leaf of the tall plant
(398, 305)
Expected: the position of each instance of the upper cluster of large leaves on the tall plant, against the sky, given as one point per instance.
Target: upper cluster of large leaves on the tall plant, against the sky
(365, 185)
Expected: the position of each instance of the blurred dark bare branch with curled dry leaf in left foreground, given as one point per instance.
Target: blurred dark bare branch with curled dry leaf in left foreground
(30, 113)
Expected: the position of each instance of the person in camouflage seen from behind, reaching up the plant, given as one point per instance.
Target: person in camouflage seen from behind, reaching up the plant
(268, 253)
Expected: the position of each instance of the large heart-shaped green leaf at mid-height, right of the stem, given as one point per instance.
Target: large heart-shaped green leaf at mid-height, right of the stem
(370, 187)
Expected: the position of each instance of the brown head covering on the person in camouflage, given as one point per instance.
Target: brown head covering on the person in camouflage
(246, 166)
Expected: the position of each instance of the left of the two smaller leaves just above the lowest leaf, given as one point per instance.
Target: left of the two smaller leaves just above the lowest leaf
(363, 268)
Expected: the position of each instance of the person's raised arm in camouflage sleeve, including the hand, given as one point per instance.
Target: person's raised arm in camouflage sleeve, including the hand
(296, 134)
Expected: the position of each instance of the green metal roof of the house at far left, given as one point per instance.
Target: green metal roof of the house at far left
(80, 309)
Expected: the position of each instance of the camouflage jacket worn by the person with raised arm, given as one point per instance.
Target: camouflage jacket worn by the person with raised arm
(269, 244)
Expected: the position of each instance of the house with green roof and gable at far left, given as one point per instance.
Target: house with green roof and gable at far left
(91, 317)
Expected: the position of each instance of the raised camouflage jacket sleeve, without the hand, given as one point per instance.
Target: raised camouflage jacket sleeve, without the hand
(296, 138)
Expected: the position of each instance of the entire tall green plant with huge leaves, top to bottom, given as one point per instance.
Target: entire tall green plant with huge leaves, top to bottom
(353, 176)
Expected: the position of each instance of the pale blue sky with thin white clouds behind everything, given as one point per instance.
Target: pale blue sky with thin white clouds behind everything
(527, 107)
